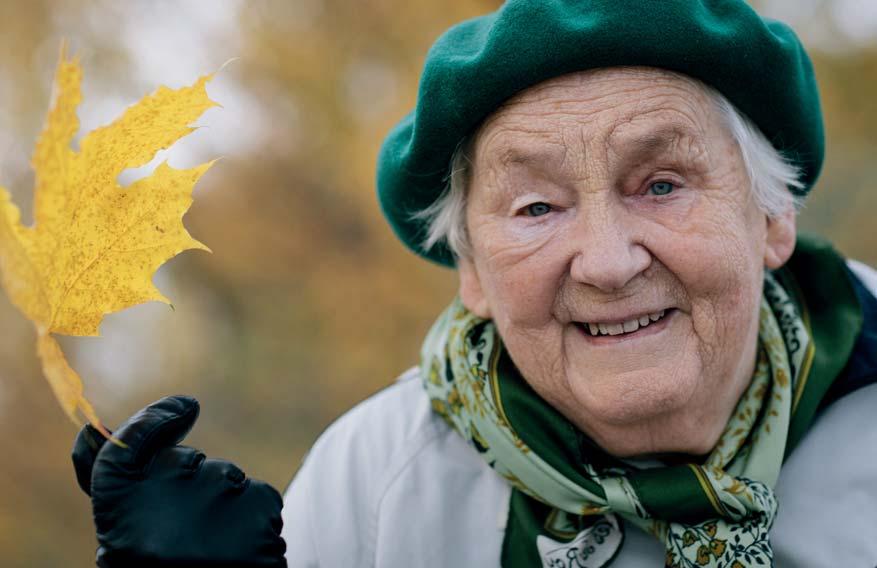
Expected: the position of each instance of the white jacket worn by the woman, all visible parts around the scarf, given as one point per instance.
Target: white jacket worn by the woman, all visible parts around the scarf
(391, 485)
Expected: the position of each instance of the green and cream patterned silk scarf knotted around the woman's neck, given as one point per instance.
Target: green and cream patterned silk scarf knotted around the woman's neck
(568, 494)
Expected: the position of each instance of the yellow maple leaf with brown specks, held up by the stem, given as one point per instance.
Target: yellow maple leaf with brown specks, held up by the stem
(94, 245)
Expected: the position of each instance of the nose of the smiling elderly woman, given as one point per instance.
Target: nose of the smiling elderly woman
(608, 254)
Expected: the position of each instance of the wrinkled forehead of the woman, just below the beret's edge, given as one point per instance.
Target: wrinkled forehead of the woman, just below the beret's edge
(618, 108)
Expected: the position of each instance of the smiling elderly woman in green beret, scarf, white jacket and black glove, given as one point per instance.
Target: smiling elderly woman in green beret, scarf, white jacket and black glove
(645, 364)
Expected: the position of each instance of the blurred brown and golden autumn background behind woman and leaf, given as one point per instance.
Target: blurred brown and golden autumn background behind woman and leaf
(308, 304)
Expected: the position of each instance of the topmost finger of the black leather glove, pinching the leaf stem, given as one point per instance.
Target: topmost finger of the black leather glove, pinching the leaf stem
(161, 424)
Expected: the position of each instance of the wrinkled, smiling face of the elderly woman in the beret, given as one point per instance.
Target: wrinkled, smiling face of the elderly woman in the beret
(617, 247)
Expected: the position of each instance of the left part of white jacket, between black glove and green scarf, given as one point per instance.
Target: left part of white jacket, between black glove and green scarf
(391, 484)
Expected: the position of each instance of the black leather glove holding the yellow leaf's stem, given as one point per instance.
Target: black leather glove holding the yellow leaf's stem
(160, 505)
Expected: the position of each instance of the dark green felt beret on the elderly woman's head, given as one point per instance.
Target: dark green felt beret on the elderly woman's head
(756, 63)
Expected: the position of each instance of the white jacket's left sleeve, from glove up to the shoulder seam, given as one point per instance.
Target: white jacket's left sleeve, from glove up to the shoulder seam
(330, 508)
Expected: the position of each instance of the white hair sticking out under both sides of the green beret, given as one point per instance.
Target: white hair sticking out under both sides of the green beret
(772, 181)
